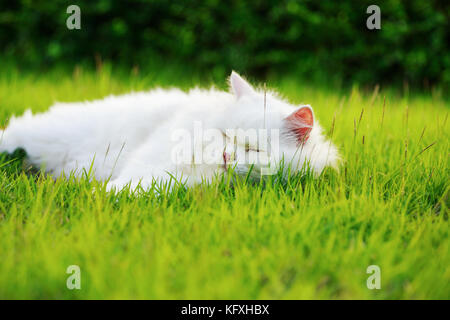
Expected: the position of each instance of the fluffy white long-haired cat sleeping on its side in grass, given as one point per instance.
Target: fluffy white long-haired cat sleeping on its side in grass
(140, 137)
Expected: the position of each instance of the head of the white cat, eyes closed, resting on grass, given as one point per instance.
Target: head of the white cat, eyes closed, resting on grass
(264, 132)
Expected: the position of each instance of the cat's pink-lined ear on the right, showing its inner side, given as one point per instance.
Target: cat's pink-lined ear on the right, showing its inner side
(300, 123)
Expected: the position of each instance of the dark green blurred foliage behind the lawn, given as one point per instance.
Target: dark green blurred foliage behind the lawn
(313, 40)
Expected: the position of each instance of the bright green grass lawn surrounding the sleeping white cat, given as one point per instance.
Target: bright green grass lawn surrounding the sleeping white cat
(298, 239)
